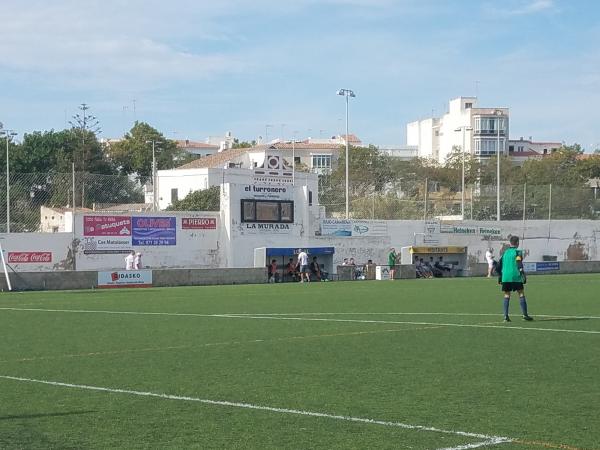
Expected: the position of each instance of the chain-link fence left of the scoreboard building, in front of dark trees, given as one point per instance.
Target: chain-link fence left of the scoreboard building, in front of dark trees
(34, 196)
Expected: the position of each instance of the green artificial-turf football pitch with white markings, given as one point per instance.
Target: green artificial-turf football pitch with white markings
(415, 364)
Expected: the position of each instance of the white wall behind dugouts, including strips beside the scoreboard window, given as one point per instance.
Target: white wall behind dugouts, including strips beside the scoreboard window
(233, 245)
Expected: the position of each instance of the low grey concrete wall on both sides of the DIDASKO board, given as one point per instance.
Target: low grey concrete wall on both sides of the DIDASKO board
(68, 280)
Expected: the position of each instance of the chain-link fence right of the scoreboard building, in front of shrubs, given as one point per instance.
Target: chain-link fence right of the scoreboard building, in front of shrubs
(410, 200)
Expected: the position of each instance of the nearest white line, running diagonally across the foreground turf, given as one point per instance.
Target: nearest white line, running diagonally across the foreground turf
(489, 439)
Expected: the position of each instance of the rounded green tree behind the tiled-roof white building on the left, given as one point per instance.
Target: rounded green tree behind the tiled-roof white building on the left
(133, 154)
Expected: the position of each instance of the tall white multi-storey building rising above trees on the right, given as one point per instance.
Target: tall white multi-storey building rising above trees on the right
(484, 131)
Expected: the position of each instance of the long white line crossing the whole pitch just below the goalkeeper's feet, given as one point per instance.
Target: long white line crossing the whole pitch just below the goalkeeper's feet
(308, 319)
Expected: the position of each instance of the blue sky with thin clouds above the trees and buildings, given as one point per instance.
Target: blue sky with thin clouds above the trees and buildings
(200, 68)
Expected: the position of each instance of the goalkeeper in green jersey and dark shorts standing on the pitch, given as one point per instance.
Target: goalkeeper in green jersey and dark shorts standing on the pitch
(512, 277)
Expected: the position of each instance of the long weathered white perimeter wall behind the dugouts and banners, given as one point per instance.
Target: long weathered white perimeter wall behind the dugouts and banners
(221, 247)
